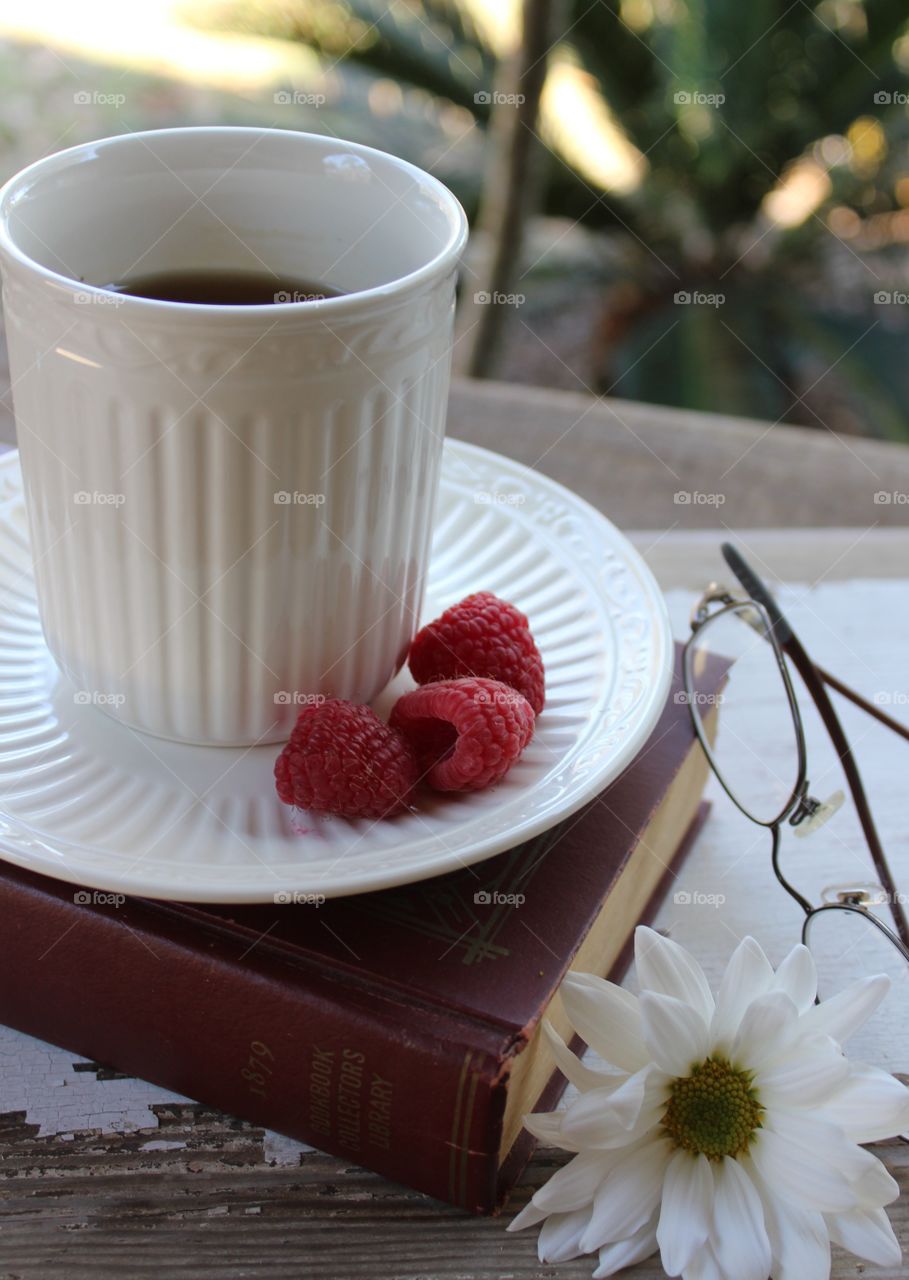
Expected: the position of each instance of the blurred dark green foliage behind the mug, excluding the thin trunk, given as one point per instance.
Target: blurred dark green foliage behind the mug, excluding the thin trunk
(773, 181)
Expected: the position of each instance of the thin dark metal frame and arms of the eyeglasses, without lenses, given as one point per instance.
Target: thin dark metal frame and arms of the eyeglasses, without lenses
(775, 629)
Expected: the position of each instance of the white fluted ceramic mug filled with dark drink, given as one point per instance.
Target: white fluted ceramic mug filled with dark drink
(230, 506)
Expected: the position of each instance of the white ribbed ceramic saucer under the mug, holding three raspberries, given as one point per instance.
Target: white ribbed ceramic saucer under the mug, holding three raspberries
(86, 799)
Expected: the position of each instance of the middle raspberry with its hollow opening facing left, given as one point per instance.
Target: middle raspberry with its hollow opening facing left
(467, 734)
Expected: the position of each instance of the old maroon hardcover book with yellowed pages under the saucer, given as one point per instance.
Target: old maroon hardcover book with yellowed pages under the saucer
(401, 1028)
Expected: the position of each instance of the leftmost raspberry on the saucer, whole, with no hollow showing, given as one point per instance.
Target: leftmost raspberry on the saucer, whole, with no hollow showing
(342, 760)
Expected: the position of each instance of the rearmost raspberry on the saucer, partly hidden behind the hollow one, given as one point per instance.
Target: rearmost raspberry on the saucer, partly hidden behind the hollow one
(481, 637)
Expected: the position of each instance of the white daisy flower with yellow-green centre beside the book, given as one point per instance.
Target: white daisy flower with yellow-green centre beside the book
(727, 1131)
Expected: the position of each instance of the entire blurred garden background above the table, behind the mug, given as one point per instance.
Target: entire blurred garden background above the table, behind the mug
(692, 203)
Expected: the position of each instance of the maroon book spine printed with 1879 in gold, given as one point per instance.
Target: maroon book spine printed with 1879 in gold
(413, 1094)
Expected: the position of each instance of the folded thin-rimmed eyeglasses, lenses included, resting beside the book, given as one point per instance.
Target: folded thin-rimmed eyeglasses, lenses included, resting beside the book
(773, 789)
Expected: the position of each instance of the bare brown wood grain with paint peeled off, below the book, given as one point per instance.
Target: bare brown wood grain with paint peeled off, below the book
(141, 1215)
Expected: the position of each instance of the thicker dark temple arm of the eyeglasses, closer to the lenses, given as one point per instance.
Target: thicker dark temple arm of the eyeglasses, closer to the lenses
(792, 646)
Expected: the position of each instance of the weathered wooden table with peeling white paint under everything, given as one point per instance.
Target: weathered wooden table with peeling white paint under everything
(109, 1177)
